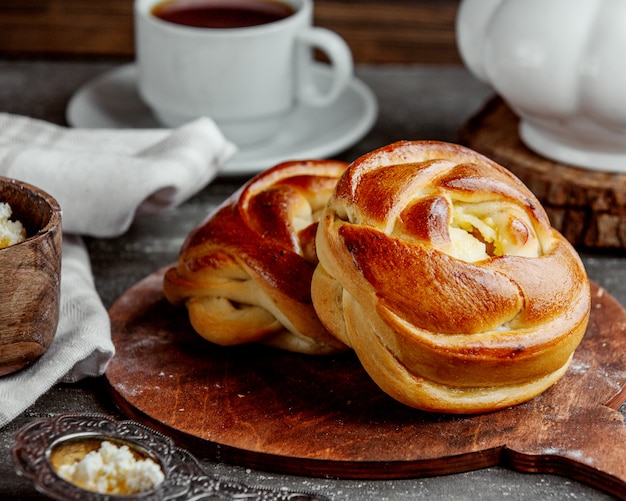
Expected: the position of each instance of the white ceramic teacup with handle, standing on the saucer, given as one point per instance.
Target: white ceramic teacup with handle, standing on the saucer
(247, 79)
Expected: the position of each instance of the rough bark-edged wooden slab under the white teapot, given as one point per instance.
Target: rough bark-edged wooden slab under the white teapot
(587, 206)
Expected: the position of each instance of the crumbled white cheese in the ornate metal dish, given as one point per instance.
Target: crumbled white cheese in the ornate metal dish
(113, 470)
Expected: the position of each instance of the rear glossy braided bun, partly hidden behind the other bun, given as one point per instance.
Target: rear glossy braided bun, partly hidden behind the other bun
(245, 272)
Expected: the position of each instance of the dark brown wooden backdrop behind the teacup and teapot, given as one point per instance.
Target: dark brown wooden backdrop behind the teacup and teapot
(393, 31)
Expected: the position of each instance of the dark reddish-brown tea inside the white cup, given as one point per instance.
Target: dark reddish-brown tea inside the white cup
(222, 14)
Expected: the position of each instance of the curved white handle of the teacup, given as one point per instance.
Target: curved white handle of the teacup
(341, 64)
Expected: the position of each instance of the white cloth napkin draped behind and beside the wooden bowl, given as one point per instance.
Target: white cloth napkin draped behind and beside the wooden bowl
(102, 179)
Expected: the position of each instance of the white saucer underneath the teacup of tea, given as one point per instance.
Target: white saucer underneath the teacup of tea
(111, 101)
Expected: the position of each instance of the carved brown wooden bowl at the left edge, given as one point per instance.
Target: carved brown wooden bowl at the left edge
(31, 277)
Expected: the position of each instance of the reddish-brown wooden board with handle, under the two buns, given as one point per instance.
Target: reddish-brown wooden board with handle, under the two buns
(322, 416)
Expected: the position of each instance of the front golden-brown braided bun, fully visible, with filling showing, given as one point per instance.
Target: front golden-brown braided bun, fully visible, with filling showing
(441, 270)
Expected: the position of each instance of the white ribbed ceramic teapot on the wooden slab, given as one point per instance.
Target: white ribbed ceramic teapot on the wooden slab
(561, 66)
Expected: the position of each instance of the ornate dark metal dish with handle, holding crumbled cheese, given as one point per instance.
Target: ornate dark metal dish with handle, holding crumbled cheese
(41, 446)
